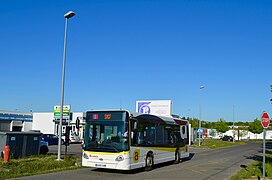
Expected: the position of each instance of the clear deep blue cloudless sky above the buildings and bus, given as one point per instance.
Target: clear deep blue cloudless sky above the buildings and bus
(121, 51)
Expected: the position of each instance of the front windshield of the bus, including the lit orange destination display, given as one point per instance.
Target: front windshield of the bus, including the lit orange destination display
(106, 132)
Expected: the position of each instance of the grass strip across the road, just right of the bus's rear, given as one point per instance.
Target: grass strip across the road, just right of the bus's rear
(216, 143)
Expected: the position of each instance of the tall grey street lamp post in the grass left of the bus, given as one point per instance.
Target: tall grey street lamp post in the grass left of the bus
(66, 16)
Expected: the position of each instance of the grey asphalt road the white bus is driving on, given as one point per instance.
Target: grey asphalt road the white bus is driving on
(204, 164)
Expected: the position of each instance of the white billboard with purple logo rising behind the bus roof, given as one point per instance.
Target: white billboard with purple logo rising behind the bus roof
(156, 107)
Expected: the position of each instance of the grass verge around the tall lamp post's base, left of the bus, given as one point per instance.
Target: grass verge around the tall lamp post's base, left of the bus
(35, 165)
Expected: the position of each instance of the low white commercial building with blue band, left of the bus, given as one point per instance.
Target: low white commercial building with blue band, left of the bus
(44, 122)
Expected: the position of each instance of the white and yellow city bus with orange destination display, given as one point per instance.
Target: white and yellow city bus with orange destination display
(119, 139)
